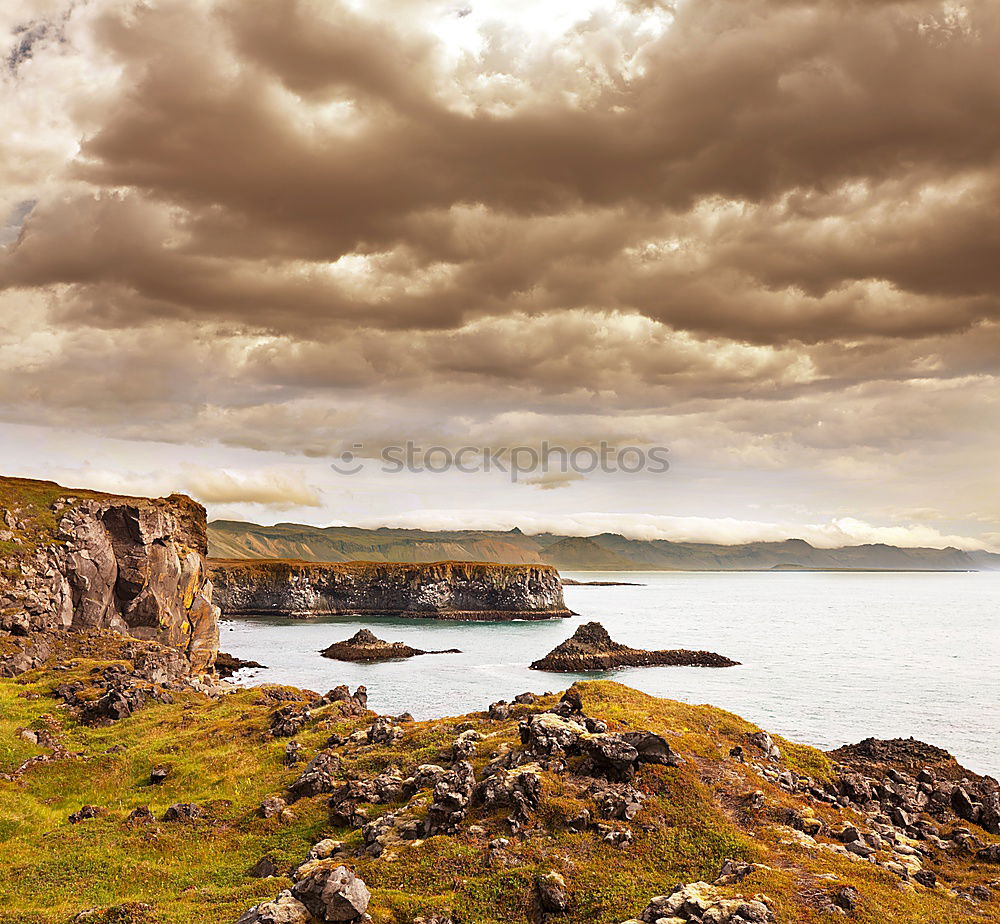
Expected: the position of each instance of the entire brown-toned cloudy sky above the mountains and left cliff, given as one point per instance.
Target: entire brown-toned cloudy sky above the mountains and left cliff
(239, 239)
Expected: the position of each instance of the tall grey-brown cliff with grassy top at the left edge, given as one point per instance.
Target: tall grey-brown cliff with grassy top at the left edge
(137, 566)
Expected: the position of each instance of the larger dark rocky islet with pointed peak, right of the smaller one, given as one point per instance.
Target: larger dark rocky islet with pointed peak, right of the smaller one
(591, 649)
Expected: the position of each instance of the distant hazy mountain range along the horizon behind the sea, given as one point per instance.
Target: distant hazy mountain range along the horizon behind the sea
(604, 552)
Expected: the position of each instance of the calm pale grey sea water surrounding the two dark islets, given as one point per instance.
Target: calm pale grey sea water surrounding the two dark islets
(827, 658)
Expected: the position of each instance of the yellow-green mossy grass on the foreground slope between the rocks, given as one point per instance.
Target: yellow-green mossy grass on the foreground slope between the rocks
(50, 869)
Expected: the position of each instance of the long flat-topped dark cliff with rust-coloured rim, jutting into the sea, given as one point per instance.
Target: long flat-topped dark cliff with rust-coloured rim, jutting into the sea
(441, 590)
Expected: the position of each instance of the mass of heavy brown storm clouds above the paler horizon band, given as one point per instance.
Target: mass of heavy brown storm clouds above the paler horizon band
(274, 204)
